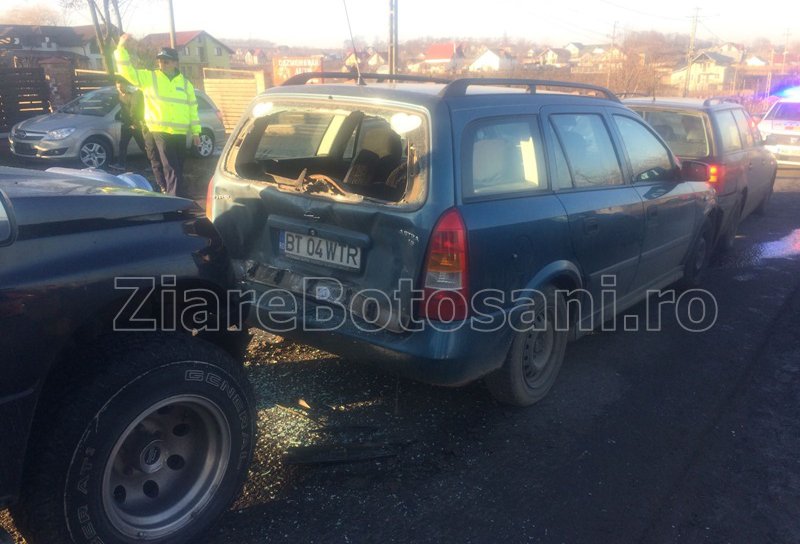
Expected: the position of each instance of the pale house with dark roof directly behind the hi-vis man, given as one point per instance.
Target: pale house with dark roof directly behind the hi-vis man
(197, 49)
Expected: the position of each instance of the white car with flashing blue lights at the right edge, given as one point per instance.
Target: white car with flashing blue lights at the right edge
(780, 129)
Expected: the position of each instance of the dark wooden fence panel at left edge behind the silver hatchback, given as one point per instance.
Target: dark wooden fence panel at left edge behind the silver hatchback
(24, 93)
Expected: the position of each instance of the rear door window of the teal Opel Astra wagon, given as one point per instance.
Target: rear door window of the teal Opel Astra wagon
(590, 153)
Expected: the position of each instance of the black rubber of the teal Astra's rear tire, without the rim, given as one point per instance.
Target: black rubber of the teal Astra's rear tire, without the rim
(507, 384)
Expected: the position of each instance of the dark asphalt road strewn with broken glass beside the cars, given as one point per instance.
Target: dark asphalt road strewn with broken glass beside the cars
(669, 436)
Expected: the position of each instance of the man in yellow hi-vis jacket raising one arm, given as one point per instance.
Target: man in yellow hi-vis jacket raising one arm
(170, 112)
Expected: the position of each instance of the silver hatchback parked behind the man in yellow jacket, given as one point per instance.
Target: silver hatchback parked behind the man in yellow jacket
(88, 129)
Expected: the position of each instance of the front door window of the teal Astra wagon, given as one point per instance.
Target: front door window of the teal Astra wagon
(650, 160)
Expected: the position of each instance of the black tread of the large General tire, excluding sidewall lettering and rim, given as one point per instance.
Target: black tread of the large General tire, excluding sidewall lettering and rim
(100, 372)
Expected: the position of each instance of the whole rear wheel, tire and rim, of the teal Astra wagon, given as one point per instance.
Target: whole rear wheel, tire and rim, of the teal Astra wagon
(535, 357)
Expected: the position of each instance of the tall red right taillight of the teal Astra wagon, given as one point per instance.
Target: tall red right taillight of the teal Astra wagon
(445, 274)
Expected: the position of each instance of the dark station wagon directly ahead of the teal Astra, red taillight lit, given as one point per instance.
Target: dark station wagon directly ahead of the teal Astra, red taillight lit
(723, 136)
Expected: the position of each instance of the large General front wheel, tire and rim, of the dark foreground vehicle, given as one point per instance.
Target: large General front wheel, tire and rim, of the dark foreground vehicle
(152, 444)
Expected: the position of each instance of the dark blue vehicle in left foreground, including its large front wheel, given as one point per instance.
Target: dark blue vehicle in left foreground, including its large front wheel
(124, 417)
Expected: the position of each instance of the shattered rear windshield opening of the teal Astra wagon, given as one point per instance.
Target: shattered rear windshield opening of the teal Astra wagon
(337, 150)
